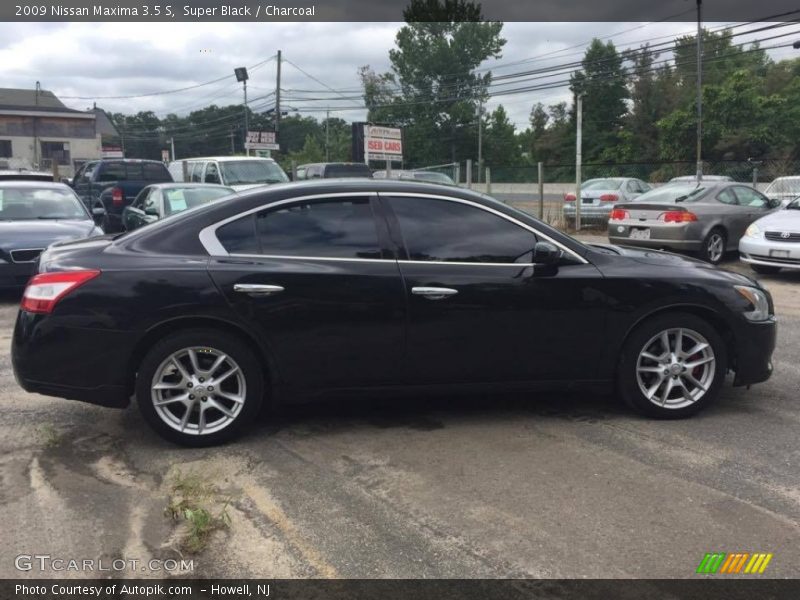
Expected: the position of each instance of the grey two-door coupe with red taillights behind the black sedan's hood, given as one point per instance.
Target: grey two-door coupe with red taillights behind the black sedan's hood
(708, 219)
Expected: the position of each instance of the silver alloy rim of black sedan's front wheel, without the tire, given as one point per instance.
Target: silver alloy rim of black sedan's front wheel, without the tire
(675, 368)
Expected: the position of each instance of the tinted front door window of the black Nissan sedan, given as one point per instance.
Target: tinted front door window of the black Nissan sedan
(449, 231)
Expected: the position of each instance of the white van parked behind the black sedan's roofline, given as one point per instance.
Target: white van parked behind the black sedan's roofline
(237, 172)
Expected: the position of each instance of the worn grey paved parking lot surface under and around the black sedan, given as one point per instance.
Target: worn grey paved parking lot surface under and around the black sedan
(486, 486)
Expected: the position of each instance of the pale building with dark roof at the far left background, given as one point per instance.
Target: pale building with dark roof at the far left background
(37, 130)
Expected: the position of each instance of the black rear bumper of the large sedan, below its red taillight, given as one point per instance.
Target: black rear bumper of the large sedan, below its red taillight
(77, 363)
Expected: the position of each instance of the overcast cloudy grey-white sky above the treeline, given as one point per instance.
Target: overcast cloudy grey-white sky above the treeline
(84, 63)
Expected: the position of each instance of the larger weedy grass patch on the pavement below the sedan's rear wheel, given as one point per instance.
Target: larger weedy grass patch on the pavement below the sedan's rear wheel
(197, 503)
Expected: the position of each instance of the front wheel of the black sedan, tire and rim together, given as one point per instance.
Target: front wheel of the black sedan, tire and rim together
(672, 366)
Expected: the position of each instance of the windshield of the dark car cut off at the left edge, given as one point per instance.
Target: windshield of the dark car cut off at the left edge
(21, 203)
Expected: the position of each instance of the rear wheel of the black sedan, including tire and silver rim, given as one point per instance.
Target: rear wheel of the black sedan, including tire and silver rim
(199, 387)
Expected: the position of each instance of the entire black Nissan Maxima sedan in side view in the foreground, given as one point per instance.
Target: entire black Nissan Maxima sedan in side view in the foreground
(300, 290)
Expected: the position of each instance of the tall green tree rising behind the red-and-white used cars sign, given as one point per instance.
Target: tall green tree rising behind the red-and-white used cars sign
(433, 90)
